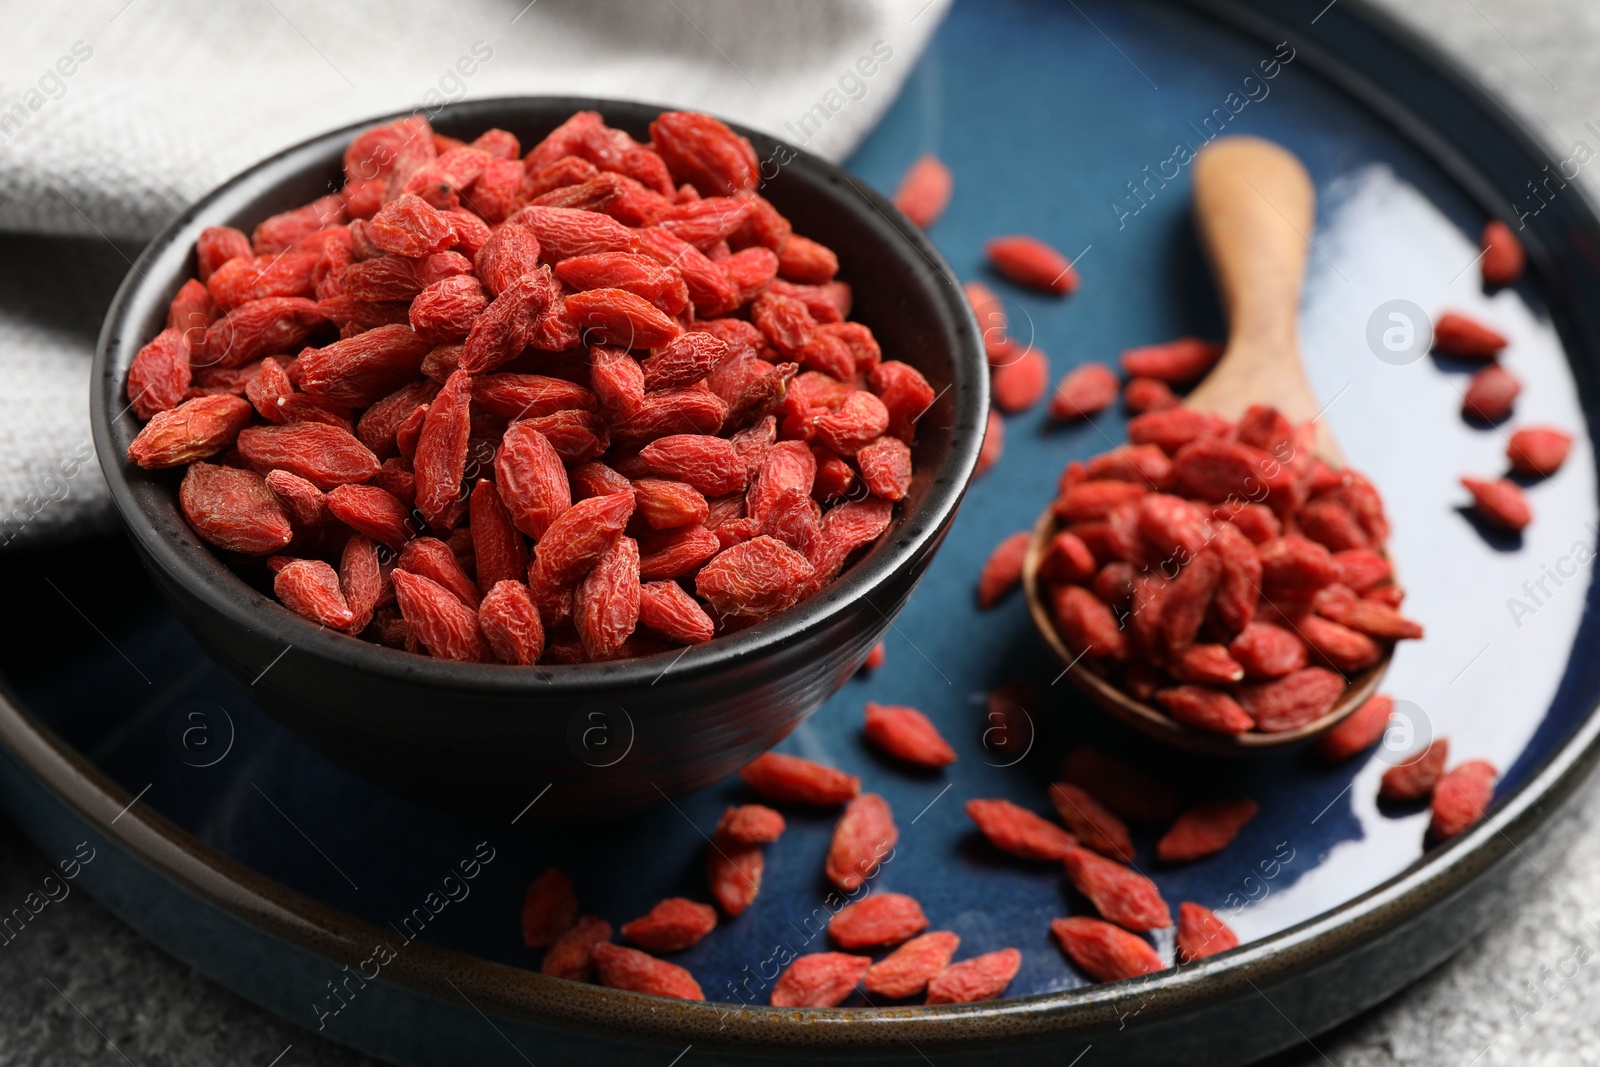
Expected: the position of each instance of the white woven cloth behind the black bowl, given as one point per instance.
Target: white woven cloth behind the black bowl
(118, 114)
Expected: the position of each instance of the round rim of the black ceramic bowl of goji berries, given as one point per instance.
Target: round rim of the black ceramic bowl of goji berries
(169, 540)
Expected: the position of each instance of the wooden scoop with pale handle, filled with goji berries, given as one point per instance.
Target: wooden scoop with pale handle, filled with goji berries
(1255, 210)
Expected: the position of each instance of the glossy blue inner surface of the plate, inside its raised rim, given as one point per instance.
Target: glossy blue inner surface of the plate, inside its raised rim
(1065, 122)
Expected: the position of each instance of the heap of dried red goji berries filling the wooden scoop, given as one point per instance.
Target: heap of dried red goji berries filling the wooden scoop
(1217, 570)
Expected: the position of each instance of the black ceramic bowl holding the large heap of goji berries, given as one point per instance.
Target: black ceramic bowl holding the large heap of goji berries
(590, 740)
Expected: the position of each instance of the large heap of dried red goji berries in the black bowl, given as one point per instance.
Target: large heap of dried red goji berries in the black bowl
(593, 402)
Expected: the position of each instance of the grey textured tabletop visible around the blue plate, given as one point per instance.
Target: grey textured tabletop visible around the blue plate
(86, 989)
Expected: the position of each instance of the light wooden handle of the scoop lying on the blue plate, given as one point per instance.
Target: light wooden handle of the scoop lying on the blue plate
(1255, 210)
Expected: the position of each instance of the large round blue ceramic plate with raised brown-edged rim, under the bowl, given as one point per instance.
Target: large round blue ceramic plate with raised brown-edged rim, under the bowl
(286, 879)
